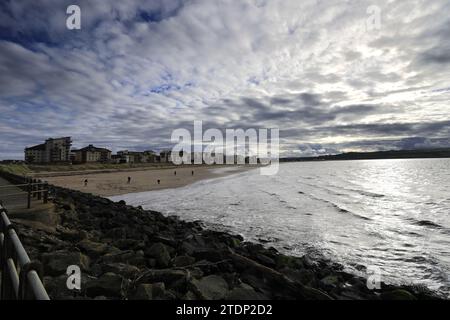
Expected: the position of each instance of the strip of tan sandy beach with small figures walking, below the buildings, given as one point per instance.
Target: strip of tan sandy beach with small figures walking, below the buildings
(116, 183)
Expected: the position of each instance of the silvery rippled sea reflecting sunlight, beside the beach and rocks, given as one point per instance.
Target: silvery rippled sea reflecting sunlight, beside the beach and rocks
(392, 216)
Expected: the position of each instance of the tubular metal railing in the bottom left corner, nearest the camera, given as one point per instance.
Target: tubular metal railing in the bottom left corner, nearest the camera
(19, 275)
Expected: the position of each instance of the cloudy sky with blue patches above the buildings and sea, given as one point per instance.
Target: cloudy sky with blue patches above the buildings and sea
(324, 72)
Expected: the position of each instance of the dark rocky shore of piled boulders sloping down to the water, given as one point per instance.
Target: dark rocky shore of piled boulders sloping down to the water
(130, 253)
